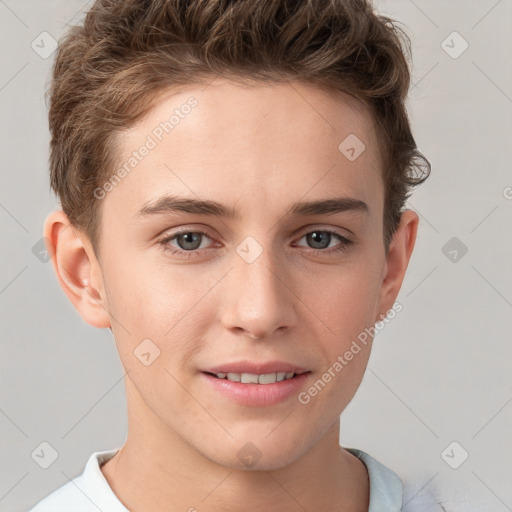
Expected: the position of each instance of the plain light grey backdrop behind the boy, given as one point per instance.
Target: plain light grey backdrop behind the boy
(439, 372)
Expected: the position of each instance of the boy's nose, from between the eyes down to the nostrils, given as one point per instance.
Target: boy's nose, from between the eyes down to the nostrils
(259, 298)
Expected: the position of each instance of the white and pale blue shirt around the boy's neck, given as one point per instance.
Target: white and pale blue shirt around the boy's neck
(90, 491)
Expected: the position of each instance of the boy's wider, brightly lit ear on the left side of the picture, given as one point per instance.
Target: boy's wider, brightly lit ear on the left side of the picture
(77, 269)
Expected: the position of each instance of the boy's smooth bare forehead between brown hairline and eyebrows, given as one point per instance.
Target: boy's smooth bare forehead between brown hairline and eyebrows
(258, 144)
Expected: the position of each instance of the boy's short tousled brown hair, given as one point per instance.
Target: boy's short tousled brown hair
(108, 71)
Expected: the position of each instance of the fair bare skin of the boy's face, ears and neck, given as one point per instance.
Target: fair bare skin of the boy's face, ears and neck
(258, 149)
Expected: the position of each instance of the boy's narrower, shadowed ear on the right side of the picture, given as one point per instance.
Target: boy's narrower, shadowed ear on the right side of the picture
(397, 260)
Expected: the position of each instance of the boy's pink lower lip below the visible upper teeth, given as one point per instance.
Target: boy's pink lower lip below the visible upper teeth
(258, 395)
